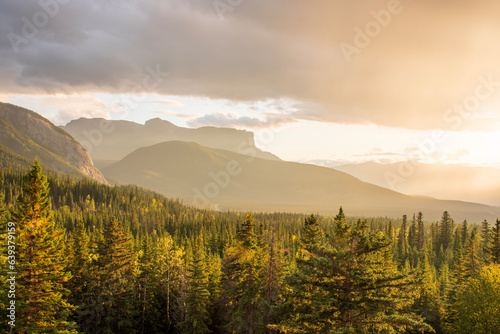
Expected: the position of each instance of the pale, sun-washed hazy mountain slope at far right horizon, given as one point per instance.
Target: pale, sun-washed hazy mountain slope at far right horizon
(473, 184)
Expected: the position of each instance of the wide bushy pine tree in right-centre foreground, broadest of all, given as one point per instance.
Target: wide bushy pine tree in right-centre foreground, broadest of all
(348, 286)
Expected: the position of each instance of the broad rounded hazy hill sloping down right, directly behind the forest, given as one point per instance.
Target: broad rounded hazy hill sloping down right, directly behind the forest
(224, 180)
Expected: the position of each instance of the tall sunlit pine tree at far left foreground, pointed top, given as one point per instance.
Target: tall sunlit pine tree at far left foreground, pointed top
(41, 261)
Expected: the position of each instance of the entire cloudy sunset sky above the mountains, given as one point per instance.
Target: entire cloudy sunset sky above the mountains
(323, 81)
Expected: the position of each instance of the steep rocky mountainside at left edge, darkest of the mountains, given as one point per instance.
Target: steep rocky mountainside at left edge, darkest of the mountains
(25, 135)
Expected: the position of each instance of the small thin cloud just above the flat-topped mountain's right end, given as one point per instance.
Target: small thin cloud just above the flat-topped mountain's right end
(233, 120)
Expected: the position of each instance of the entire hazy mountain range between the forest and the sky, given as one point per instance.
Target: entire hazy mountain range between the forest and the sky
(222, 169)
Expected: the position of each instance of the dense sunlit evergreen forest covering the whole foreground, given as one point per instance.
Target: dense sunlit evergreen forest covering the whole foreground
(97, 259)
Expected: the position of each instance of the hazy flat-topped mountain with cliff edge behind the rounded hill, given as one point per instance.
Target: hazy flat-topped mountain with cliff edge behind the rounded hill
(108, 141)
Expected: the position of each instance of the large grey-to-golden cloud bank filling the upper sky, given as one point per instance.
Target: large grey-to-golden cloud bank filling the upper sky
(426, 60)
